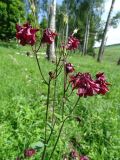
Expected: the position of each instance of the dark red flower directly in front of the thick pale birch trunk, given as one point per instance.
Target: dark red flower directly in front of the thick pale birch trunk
(48, 36)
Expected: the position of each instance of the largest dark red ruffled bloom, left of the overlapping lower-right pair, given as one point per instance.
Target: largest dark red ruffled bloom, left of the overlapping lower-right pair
(85, 84)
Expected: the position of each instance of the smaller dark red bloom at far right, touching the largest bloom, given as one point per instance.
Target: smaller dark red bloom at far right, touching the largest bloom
(103, 84)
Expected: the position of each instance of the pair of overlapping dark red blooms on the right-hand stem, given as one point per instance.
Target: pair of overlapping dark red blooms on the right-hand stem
(86, 86)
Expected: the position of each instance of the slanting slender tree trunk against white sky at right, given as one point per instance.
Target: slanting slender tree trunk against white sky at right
(101, 49)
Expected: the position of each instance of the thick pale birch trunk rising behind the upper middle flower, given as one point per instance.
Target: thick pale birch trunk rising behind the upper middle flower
(51, 48)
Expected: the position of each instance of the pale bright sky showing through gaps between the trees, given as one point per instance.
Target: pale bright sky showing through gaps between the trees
(113, 35)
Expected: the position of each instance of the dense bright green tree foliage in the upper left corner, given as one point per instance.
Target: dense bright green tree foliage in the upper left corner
(11, 12)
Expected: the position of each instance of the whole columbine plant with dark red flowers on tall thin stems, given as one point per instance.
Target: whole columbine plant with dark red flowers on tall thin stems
(82, 83)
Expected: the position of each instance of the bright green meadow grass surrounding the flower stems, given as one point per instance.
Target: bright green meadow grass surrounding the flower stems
(22, 107)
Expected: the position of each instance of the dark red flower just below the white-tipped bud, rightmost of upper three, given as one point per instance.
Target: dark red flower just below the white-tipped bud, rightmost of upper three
(72, 44)
